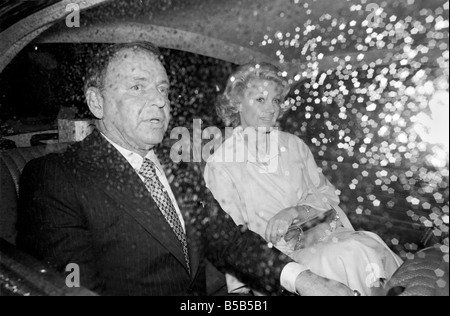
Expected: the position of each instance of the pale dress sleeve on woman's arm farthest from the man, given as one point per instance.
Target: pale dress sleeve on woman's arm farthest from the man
(321, 194)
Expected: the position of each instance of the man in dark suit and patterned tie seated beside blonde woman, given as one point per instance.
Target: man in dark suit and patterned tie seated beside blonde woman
(106, 205)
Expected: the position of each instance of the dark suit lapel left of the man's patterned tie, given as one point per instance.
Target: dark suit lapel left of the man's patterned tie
(110, 172)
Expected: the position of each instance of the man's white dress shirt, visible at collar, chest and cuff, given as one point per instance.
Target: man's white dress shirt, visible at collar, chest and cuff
(290, 271)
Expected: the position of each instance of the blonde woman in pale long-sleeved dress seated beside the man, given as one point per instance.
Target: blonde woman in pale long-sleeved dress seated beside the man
(267, 180)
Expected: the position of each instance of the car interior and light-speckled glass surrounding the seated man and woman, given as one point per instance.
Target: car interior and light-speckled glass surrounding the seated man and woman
(369, 95)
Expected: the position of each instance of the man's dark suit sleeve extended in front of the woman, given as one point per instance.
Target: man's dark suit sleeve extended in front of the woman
(238, 251)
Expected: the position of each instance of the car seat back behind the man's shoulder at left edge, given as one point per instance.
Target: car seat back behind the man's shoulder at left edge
(12, 163)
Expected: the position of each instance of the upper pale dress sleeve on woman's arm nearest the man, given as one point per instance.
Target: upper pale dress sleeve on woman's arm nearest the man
(220, 182)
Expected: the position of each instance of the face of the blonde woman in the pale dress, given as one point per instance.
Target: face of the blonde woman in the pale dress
(260, 105)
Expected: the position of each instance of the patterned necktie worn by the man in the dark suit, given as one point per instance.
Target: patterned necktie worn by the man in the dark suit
(162, 199)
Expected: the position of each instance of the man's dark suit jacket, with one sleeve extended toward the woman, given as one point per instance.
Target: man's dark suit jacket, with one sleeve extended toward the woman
(88, 206)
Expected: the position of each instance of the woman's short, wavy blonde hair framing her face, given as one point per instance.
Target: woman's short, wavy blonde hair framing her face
(228, 102)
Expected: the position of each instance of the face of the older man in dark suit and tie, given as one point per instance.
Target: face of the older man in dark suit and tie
(136, 109)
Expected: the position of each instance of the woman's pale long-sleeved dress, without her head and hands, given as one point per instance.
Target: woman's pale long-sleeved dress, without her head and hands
(252, 188)
